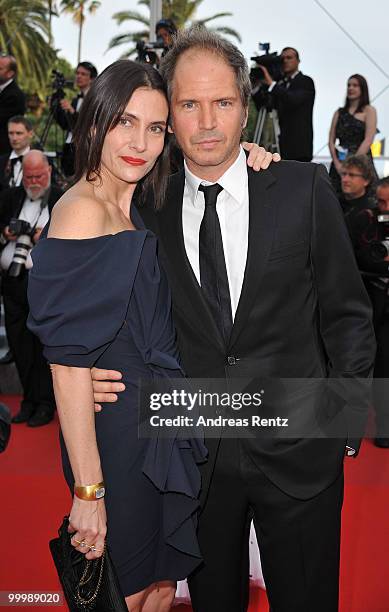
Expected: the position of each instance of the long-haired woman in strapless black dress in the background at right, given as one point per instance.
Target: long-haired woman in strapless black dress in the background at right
(353, 127)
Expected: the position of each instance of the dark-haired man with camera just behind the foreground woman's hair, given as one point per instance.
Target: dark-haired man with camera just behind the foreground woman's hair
(66, 113)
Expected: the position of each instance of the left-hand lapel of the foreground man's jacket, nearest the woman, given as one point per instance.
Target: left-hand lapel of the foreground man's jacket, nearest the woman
(172, 237)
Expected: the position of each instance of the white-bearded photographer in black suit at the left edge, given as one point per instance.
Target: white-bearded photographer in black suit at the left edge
(24, 211)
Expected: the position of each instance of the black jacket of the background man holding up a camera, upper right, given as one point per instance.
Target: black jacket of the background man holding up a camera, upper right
(295, 107)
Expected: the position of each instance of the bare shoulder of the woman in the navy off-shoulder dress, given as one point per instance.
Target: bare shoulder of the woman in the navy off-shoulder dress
(78, 215)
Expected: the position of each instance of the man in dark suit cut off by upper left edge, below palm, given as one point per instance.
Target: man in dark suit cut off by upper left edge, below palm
(12, 100)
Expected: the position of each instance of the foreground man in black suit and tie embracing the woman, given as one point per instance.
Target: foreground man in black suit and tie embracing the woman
(264, 284)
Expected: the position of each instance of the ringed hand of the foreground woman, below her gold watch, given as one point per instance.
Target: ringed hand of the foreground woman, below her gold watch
(88, 524)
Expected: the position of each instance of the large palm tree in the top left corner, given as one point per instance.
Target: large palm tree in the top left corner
(24, 33)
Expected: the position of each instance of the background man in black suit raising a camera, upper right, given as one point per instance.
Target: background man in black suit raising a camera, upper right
(293, 98)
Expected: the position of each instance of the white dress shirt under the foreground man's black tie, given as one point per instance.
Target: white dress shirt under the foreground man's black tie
(233, 211)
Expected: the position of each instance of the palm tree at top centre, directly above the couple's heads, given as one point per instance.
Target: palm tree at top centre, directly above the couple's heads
(182, 12)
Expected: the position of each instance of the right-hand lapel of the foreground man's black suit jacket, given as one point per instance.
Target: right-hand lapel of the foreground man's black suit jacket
(261, 229)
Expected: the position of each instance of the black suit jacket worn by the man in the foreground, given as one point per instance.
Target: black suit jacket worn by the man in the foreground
(303, 310)
